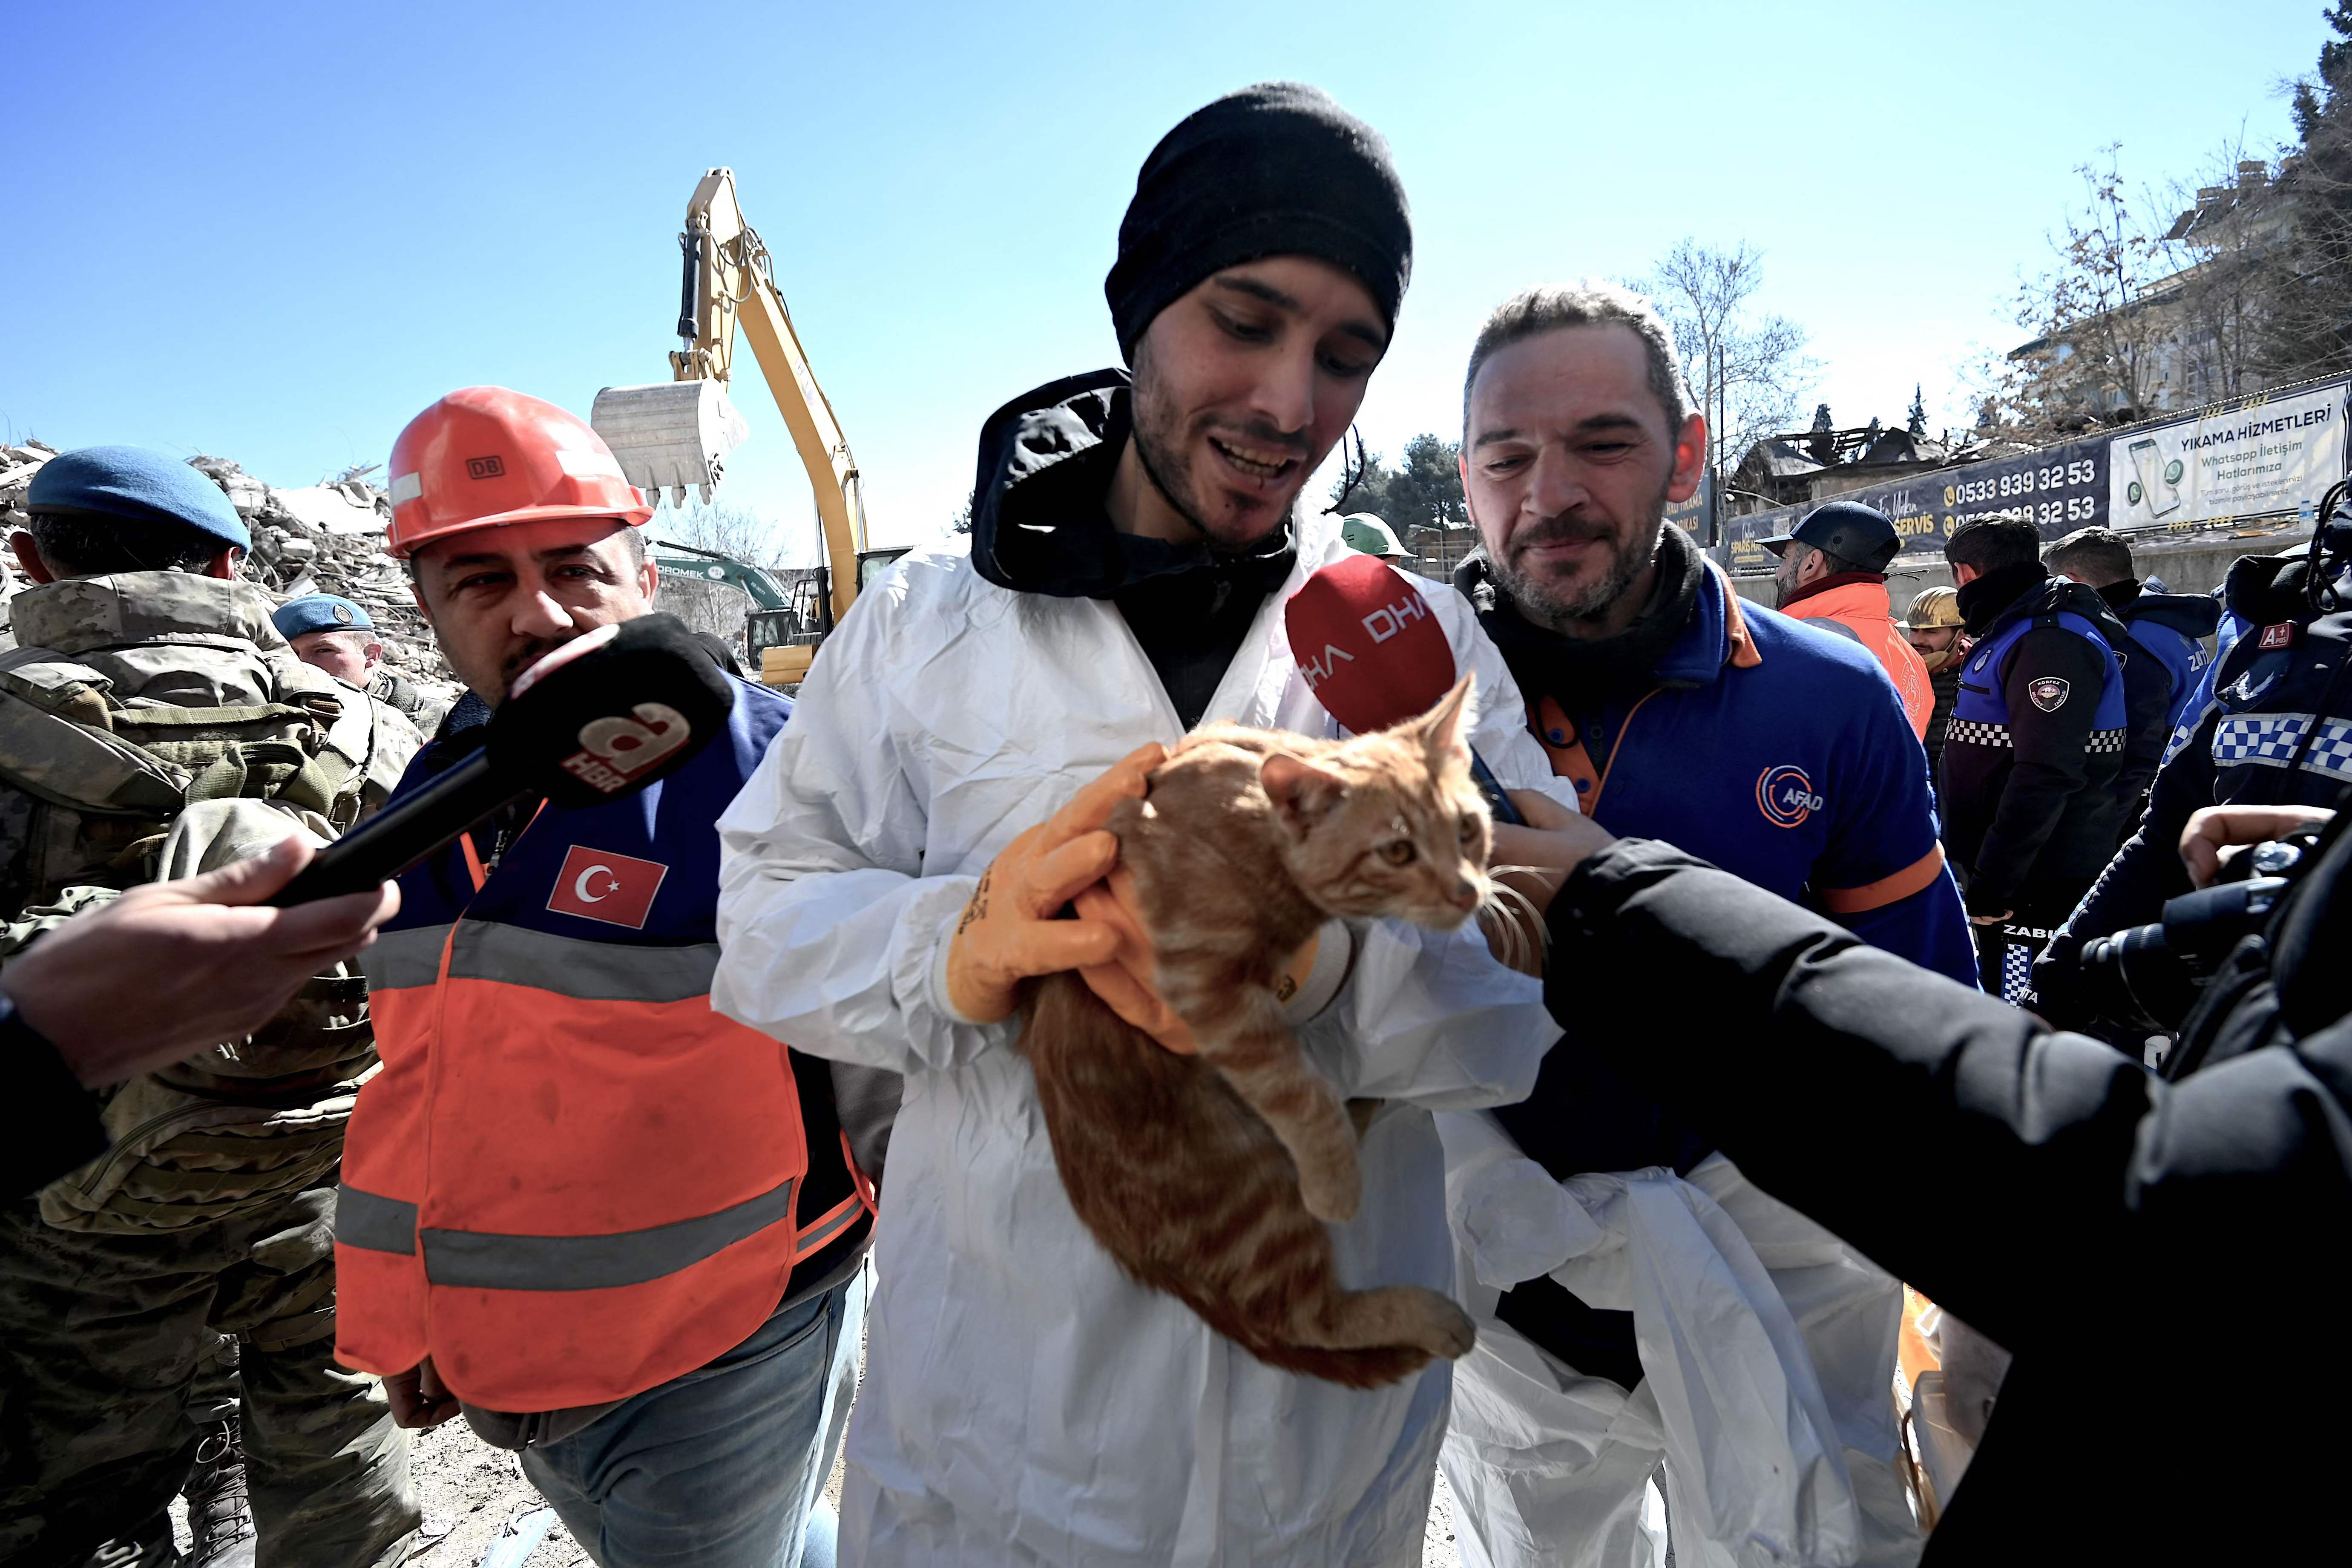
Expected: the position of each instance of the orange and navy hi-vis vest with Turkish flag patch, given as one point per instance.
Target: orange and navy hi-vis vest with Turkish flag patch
(573, 1181)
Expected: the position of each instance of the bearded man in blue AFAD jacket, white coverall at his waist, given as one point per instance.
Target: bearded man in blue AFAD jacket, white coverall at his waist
(1782, 756)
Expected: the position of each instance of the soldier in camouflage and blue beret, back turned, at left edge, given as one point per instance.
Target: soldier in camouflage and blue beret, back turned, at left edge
(156, 725)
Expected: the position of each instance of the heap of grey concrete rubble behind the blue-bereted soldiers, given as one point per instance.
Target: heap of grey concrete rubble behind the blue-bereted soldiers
(316, 540)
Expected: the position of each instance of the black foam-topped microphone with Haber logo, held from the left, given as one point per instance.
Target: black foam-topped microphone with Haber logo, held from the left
(599, 718)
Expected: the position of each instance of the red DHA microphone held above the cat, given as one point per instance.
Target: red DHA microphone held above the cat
(1375, 655)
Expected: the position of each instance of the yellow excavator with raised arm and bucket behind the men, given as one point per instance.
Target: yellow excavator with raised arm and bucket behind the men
(676, 434)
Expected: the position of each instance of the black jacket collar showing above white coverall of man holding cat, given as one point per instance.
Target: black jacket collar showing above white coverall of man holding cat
(1038, 525)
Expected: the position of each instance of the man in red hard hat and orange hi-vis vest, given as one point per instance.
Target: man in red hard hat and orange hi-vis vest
(617, 1231)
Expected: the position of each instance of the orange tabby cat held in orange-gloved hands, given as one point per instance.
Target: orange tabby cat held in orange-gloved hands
(1210, 1177)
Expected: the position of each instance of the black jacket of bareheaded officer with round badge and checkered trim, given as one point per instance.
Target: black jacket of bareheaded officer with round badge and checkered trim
(2038, 815)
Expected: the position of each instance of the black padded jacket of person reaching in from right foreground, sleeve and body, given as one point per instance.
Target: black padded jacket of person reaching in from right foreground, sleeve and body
(2160, 1257)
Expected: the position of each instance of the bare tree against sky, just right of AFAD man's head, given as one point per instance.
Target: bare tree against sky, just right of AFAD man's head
(1730, 351)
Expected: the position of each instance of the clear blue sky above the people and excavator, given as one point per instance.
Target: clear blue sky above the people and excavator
(276, 234)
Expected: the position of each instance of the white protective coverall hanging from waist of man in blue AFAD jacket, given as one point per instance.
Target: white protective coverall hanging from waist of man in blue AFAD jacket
(1739, 1308)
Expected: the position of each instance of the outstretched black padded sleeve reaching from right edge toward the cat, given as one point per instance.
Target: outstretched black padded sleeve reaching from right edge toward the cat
(2024, 1179)
